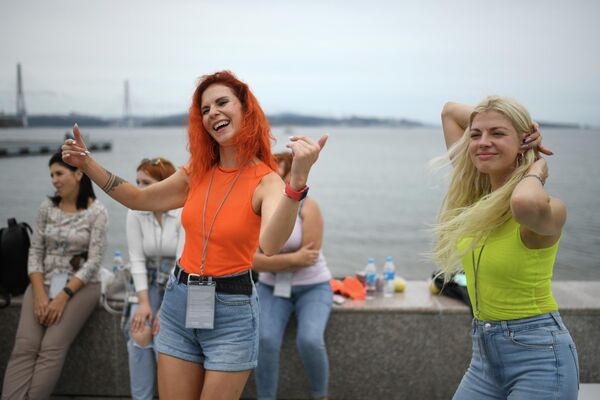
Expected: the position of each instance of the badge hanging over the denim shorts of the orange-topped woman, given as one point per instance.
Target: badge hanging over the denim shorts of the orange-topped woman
(200, 309)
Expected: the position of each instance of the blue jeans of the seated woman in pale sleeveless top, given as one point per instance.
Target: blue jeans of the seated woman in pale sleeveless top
(312, 305)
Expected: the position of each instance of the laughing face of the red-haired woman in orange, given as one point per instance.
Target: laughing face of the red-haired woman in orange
(221, 113)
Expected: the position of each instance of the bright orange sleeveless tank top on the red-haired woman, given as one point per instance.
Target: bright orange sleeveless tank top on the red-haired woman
(234, 237)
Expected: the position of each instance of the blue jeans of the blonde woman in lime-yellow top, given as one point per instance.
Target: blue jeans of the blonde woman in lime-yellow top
(525, 359)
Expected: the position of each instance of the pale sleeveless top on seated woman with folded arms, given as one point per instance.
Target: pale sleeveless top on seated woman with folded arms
(316, 273)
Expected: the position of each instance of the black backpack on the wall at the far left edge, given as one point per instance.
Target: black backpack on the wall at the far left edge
(14, 249)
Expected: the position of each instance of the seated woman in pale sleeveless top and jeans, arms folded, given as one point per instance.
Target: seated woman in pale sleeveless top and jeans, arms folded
(294, 281)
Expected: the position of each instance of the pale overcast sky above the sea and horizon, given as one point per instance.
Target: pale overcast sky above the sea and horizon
(336, 58)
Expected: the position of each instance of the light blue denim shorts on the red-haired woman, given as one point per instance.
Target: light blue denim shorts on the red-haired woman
(231, 346)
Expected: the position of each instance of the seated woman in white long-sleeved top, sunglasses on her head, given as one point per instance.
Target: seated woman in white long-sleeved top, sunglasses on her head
(155, 240)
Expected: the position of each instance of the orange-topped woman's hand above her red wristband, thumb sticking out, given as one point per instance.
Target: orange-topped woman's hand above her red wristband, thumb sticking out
(305, 153)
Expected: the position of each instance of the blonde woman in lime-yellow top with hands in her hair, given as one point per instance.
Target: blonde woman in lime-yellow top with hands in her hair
(498, 221)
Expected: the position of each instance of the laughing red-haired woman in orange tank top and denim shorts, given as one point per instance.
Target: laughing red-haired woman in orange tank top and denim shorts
(233, 201)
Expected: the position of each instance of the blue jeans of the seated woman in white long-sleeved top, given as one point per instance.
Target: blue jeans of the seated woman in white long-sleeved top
(142, 360)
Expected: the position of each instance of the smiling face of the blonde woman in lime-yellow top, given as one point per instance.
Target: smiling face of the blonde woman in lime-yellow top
(494, 144)
